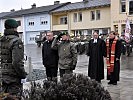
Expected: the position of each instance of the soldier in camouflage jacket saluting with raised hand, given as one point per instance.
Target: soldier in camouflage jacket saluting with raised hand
(67, 53)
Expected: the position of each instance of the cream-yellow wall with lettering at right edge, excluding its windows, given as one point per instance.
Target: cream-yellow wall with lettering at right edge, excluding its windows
(118, 18)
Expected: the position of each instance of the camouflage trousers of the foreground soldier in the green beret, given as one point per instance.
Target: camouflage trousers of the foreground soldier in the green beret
(14, 89)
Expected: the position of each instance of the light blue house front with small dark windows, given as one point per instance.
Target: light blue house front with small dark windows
(34, 25)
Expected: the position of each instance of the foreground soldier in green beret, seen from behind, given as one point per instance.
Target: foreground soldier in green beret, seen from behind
(11, 59)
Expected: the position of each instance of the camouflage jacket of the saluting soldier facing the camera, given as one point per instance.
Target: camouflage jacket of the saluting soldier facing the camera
(67, 53)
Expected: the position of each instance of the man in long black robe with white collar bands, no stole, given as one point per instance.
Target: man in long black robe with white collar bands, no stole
(97, 52)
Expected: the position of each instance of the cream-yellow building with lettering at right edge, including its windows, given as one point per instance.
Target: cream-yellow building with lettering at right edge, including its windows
(120, 11)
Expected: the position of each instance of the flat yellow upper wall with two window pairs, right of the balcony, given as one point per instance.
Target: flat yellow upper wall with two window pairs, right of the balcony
(86, 19)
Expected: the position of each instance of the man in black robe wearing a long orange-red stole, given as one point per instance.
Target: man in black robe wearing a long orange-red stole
(113, 45)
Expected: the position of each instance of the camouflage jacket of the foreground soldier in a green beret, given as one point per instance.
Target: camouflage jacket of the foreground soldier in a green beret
(11, 57)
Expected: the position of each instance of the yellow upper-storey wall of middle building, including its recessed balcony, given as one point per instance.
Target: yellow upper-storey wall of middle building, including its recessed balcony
(104, 22)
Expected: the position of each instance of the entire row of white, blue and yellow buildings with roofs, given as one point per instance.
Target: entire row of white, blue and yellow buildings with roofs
(79, 19)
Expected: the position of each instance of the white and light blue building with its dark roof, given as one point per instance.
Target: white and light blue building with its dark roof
(33, 21)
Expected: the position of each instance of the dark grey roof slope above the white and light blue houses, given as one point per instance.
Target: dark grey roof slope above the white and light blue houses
(43, 9)
